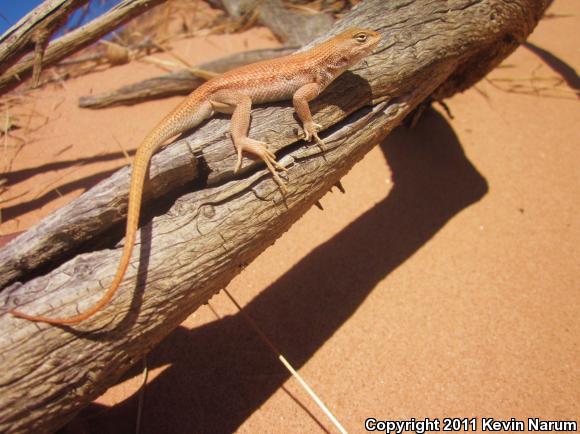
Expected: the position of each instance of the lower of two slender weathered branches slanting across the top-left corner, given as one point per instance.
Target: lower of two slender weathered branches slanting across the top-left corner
(76, 40)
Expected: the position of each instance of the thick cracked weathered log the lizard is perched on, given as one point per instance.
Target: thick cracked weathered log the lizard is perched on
(430, 49)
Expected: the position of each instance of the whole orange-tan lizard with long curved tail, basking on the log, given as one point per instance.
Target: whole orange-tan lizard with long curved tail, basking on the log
(299, 77)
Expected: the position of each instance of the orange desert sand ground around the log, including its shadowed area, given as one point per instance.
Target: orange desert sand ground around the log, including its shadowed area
(445, 283)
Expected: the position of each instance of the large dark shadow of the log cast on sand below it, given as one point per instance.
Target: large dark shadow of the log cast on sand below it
(217, 375)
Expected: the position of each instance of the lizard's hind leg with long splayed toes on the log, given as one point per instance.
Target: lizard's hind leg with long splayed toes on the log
(240, 105)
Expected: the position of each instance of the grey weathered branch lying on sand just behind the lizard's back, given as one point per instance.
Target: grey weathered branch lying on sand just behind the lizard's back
(176, 83)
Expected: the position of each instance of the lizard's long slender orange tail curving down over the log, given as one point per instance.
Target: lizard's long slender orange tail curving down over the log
(187, 115)
